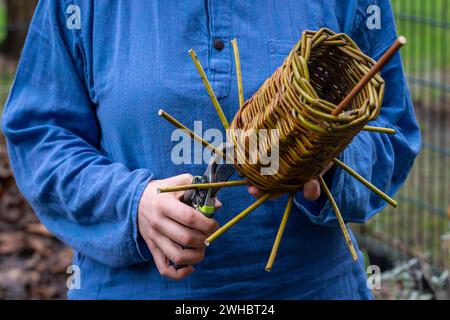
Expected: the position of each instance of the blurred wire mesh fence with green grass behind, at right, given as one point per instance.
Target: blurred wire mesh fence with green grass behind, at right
(420, 225)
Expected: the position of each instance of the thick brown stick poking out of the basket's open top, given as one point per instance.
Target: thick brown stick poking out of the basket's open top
(369, 75)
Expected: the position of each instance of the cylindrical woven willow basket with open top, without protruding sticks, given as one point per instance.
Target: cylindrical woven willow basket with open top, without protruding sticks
(298, 100)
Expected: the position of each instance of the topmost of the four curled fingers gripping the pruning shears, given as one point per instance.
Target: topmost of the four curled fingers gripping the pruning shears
(188, 216)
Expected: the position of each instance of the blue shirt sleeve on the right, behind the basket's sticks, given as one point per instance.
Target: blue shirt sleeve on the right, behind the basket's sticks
(383, 159)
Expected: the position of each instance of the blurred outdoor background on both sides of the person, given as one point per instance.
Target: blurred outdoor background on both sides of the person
(411, 244)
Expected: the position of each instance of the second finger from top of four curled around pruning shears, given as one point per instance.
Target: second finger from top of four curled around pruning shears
(179, 233)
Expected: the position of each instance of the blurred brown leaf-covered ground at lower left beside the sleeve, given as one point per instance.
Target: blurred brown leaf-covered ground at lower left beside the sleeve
(32, 262)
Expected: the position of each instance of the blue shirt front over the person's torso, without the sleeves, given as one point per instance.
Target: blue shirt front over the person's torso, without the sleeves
(137, 61)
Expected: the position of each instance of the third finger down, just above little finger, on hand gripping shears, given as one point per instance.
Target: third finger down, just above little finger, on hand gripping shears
(175, 253)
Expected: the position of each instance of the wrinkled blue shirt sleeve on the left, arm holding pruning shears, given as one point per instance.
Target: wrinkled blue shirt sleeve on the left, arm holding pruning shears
(52, 132)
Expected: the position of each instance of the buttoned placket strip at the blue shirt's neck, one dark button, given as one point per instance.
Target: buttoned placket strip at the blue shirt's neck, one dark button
(220, 51)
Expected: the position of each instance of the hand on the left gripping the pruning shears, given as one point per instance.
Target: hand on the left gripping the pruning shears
(167, 224)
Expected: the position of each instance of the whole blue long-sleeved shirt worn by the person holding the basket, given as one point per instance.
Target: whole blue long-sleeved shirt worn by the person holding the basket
(85, 139)
